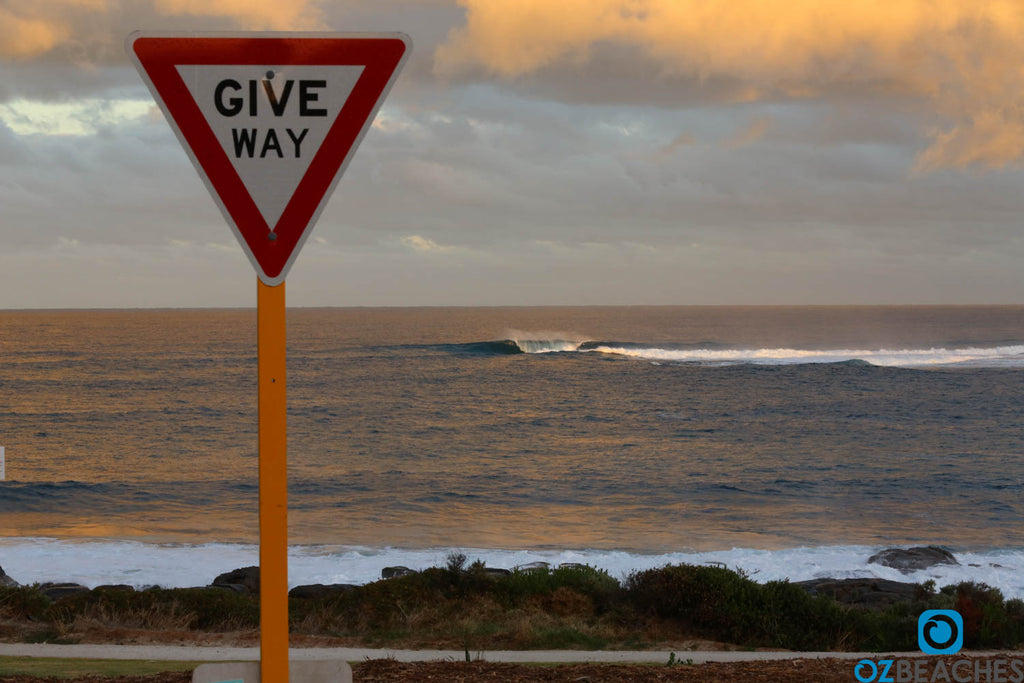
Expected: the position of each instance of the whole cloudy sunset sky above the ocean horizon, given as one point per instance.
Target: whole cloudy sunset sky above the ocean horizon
(581, 152)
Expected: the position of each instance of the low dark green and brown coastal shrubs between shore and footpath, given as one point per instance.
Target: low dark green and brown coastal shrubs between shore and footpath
(472, 608)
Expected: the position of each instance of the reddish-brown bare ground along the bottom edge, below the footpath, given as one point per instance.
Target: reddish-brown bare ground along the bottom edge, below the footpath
(390, 671)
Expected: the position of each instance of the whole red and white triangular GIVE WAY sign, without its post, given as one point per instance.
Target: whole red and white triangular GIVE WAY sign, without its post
(271, 121)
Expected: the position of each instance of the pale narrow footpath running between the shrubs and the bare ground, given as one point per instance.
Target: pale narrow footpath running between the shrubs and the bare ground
(193, 654)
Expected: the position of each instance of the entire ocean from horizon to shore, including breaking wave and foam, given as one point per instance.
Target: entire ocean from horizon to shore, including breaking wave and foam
(790, 443)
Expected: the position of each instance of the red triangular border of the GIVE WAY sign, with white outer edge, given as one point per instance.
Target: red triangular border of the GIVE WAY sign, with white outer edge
(157, 56)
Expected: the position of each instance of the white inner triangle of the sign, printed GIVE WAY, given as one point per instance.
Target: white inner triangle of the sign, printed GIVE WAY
(271, 121)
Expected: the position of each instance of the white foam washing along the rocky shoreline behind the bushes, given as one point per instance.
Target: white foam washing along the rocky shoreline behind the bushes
(181, 566)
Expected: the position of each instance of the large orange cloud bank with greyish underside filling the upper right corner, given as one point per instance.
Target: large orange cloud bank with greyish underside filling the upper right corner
(962, 62)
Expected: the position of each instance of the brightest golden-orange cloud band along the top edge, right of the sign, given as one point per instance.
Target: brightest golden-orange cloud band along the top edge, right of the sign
(749, 38)
